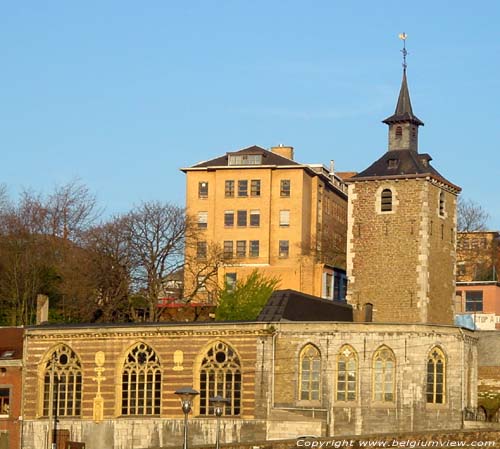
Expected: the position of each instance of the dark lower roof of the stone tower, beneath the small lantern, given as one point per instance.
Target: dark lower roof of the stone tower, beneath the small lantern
(401, 163)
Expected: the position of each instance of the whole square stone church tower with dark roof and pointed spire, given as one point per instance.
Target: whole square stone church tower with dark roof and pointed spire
(402, 228)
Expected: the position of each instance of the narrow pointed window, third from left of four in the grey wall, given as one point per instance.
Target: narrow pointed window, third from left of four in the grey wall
(384, 373)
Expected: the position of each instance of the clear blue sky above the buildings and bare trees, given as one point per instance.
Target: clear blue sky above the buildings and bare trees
(121, 94)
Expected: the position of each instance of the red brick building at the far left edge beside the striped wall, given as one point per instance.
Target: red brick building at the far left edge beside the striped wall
(11, 355)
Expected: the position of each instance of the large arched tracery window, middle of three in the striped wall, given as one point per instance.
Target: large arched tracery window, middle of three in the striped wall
(141, 382)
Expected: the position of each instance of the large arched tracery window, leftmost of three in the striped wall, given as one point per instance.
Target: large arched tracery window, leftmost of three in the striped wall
(62, 383)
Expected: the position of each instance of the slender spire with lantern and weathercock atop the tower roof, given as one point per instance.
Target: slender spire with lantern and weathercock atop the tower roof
(403, 124)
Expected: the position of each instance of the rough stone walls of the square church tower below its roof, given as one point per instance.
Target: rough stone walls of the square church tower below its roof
(401, 261)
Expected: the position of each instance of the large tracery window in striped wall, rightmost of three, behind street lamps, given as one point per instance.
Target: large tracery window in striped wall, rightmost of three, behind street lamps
(220, 374)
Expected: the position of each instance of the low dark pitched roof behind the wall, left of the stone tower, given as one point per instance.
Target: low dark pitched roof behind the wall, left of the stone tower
(291, 305)
